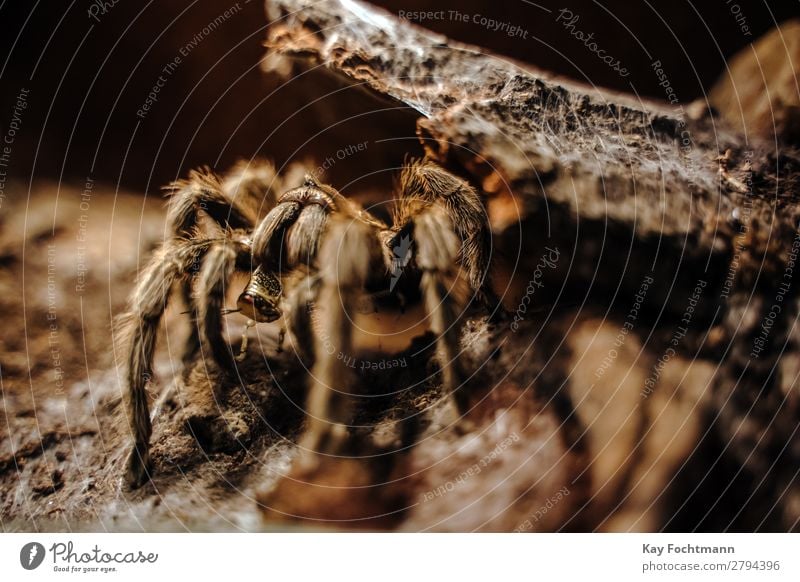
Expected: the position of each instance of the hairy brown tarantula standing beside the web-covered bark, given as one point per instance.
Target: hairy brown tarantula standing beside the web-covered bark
(313, 247)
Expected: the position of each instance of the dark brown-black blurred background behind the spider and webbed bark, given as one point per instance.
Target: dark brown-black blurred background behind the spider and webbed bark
(87, 79)
